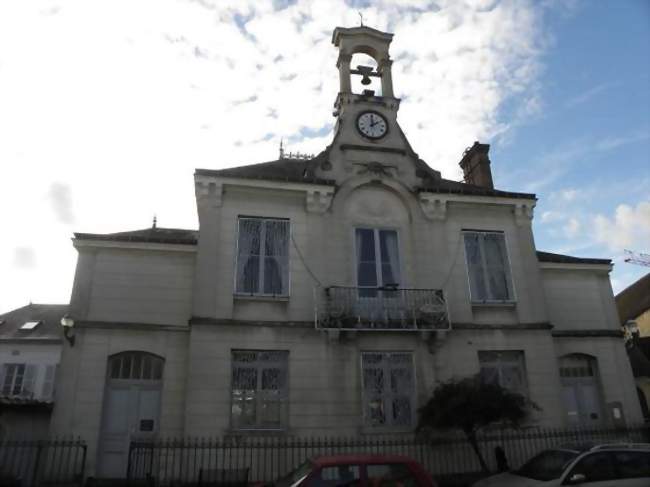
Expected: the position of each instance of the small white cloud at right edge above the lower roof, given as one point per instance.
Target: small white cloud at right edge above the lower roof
(629, 228)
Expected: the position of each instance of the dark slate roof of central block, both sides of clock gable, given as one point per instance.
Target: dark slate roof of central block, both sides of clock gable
(303, 171)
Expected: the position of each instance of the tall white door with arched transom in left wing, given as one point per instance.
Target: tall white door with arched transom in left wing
(131, 409)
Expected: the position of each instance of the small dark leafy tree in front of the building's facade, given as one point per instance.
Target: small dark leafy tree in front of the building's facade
(470, 404)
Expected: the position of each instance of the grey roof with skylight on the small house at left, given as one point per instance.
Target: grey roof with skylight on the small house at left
(49, 314)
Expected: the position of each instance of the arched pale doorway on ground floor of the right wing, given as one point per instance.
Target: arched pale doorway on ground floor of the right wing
(581, 389)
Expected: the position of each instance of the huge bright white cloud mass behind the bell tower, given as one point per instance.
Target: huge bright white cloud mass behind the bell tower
(123, 100)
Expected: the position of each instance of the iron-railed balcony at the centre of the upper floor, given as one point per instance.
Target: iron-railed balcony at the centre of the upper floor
(383, 308)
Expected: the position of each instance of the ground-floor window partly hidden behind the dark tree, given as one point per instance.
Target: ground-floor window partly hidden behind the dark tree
(506, 368)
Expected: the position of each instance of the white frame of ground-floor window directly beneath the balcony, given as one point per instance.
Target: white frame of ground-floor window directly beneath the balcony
(389, 426)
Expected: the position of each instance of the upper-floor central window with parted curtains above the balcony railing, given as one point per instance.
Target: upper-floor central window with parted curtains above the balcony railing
(377, 260)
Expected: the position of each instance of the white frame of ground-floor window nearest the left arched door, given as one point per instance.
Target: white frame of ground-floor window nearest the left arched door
(259, 396)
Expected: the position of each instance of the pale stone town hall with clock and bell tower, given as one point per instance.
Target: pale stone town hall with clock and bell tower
(329, 295)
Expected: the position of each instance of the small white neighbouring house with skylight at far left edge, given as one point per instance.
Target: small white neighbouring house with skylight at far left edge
(30, 349)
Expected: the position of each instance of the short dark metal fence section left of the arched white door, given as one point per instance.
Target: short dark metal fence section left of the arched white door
(42, 462)
